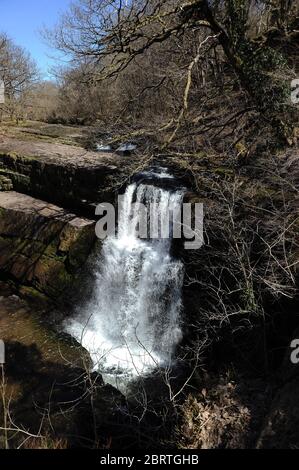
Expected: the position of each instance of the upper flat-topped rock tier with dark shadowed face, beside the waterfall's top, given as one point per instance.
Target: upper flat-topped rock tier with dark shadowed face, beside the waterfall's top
(63, 174)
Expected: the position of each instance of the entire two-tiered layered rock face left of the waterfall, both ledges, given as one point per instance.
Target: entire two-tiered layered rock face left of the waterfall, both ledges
(43, 246)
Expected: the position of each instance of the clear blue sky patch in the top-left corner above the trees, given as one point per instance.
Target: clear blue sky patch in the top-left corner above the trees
(22, 21)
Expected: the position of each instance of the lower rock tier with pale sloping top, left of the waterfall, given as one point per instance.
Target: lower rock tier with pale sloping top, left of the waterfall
(42, 246)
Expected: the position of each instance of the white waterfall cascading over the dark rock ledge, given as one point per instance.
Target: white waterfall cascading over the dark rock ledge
(131, 325)
